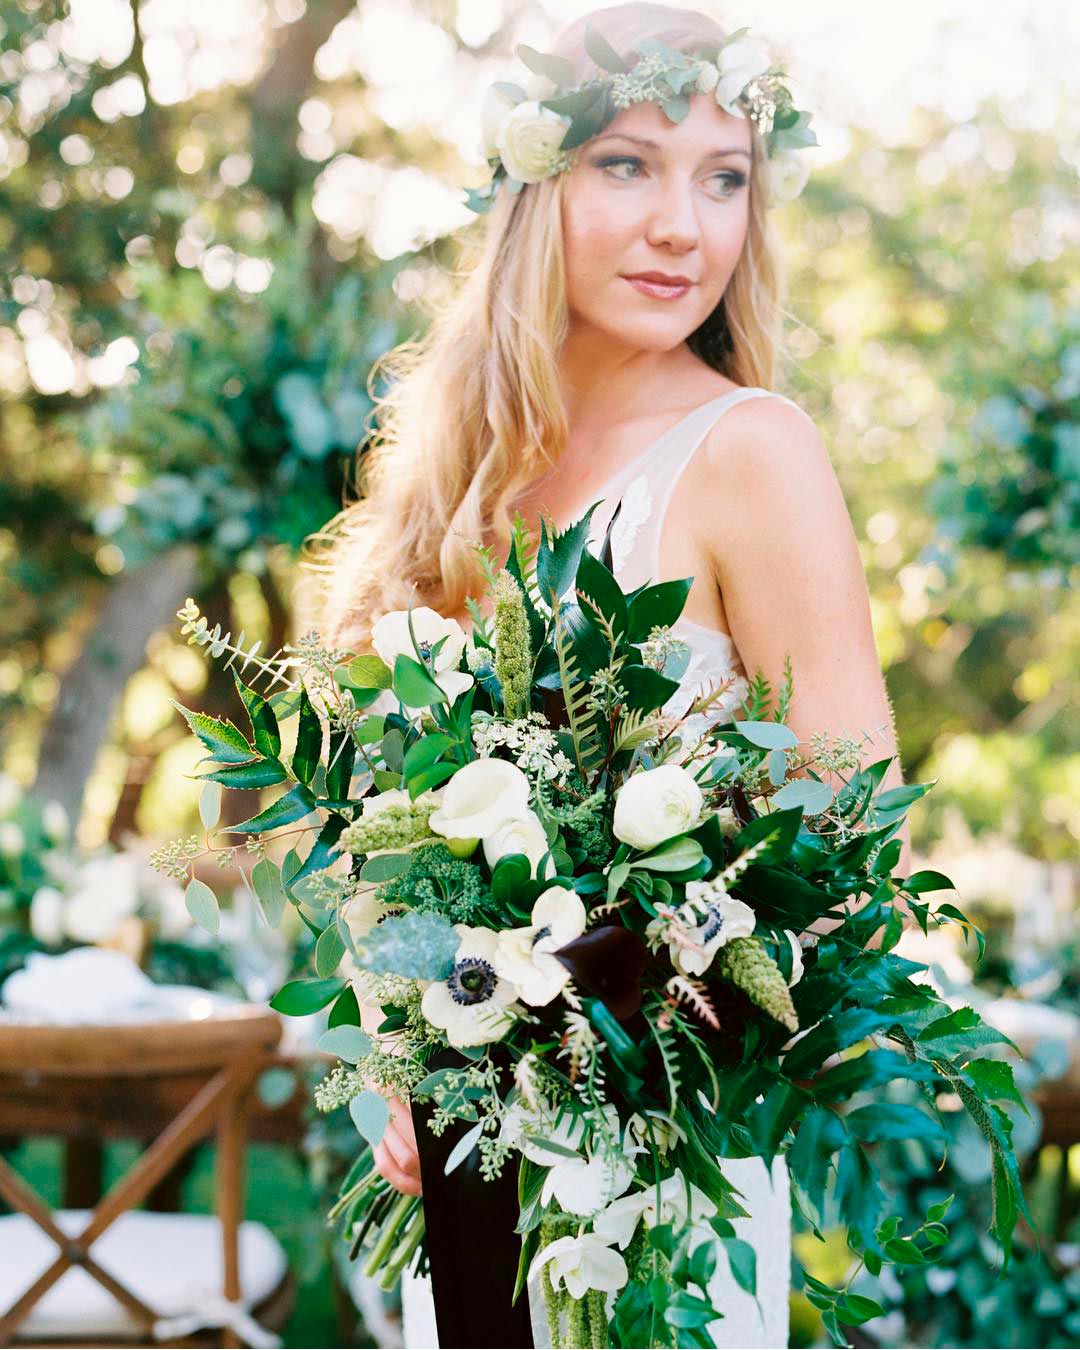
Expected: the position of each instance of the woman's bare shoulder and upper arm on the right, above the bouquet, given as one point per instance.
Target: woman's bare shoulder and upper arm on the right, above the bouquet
(788, 565)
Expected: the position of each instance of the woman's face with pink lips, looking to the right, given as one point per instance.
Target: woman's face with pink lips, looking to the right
(654, 196)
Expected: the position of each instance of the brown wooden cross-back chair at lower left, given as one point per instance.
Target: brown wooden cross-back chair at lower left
(213, 1064)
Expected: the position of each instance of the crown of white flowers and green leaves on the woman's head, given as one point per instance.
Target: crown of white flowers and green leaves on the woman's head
(527, 140)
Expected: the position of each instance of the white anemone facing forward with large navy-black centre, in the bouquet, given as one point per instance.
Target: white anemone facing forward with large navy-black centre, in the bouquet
(473, 1004)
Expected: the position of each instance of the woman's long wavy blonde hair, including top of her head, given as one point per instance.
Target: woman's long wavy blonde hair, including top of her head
(473, 412)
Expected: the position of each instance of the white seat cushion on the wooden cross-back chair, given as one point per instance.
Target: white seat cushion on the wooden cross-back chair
(171, 1262)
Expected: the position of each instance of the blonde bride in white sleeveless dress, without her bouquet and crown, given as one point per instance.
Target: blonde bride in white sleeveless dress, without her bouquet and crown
(615, 344)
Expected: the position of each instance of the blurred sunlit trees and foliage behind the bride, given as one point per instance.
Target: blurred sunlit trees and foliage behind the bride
(215, 218)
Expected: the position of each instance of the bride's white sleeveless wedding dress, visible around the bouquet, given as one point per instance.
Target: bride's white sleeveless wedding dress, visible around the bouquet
(646, 487)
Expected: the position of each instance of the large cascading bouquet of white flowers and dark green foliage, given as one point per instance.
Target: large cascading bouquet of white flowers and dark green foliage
(591, 931)
